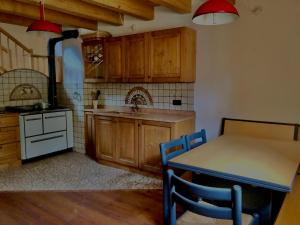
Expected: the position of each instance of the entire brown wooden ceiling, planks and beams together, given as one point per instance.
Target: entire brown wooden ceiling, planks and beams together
(85, 13)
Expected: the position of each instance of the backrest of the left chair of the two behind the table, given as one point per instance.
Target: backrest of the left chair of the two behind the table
(172, 149)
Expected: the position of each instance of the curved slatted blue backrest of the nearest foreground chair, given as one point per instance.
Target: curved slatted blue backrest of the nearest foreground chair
(178, 188)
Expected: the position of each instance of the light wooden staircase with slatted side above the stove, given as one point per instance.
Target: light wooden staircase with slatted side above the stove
(14, 55)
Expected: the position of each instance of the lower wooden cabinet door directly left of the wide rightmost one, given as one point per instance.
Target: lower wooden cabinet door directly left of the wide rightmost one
(127, 142)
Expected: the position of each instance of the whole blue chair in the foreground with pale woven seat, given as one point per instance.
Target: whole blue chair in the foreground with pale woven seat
(199, 211)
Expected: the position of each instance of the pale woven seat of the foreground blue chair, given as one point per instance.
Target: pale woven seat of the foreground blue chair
(190, 218)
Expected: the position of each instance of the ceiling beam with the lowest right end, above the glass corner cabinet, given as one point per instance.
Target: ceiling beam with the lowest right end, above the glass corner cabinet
(32, 12)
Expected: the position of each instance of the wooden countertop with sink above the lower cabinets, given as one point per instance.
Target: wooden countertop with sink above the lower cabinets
(170, 116)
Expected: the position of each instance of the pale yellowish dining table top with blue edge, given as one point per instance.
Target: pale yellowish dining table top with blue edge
(267, 163)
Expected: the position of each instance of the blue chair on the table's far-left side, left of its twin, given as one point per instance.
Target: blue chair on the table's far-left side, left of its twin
(168, 151)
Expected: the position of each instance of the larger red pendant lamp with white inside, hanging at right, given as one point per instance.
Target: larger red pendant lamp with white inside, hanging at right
(215, 12)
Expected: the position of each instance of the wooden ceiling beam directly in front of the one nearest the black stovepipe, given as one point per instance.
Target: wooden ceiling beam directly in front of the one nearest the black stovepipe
(82, 9)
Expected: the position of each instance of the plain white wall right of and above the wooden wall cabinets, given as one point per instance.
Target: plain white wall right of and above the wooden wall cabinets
(248, 69)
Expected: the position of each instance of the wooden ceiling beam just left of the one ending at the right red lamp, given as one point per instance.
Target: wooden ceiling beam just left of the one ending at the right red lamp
(136, 8)
